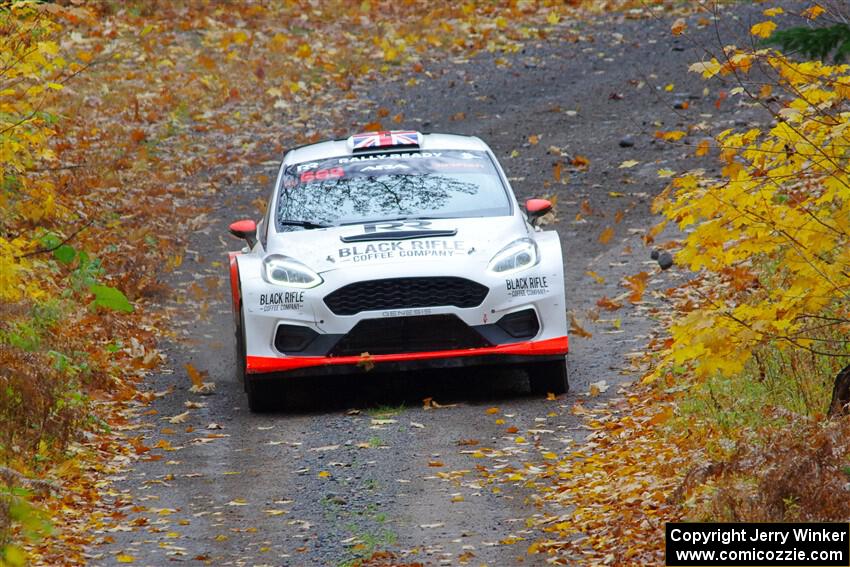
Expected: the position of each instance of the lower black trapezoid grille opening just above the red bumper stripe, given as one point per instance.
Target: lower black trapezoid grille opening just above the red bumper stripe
(394, 335)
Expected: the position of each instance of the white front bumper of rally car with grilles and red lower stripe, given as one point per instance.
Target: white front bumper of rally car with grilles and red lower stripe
(316, 331)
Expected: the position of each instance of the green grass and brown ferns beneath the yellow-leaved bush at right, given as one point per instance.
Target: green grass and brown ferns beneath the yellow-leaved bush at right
(773, 455)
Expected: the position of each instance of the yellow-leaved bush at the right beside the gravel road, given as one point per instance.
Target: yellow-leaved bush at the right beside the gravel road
(773, 231)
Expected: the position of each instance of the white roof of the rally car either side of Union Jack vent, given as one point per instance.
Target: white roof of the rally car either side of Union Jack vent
(341, 147)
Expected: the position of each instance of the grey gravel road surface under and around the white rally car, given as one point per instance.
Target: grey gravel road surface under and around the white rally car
(354, 469)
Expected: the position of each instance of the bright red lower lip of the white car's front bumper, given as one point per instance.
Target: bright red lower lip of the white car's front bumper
(514, 353)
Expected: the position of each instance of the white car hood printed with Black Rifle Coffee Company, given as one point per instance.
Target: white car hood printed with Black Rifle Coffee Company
(464, 241)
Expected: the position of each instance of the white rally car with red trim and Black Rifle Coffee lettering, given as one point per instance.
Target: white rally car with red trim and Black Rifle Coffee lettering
(392, 251)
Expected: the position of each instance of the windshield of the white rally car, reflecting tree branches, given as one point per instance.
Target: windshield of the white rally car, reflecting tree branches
(391, 186)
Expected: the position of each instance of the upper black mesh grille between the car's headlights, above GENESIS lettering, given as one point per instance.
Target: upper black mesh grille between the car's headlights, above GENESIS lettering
(405, 293)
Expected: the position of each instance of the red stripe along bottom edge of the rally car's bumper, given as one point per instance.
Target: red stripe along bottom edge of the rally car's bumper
(264, 364)
